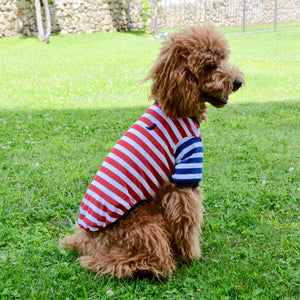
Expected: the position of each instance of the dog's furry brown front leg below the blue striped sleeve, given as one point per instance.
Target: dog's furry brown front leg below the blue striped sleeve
(183, 212)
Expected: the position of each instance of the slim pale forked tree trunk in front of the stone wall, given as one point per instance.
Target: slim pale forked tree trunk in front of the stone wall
(44, 37)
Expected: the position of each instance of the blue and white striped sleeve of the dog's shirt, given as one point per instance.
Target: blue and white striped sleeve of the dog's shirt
(188, 162)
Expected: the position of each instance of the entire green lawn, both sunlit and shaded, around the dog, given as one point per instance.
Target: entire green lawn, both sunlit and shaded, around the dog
(64, 105)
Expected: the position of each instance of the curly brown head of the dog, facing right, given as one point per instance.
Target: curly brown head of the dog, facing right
(192, 69)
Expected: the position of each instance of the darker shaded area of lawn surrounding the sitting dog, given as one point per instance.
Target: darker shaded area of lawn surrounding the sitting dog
(48, 158)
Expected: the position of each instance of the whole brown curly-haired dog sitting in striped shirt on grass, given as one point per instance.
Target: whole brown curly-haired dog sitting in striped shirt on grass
(143, 211)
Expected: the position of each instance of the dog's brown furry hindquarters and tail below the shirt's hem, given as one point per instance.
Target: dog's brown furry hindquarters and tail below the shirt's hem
(137, 244)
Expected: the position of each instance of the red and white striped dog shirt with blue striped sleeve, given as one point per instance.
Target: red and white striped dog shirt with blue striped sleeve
(153, 151)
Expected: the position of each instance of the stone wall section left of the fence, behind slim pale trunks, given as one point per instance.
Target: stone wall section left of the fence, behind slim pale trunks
(17, 17)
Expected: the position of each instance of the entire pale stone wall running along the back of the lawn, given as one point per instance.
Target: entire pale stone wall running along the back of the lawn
(17, 17)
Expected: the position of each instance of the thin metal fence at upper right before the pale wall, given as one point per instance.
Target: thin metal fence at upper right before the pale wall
(230, 16)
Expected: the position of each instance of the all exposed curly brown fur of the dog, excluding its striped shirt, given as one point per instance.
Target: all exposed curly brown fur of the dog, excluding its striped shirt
(192, 69)
